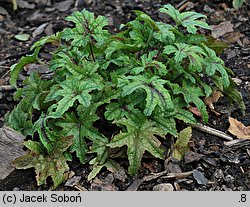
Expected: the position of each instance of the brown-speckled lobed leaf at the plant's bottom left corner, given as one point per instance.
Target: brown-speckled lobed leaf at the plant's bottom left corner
(53, 165)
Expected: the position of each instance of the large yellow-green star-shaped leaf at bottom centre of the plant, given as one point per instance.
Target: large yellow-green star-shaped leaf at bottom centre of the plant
(138, 139)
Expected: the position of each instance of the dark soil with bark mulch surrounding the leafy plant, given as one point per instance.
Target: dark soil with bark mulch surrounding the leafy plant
(224, 168)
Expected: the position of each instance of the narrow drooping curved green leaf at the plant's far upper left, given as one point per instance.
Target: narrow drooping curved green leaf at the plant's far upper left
(17, 68)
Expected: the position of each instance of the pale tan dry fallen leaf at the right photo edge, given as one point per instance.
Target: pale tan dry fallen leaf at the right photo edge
(238, 129)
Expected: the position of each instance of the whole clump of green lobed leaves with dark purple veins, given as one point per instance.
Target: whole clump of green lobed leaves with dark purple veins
(141, 80)
